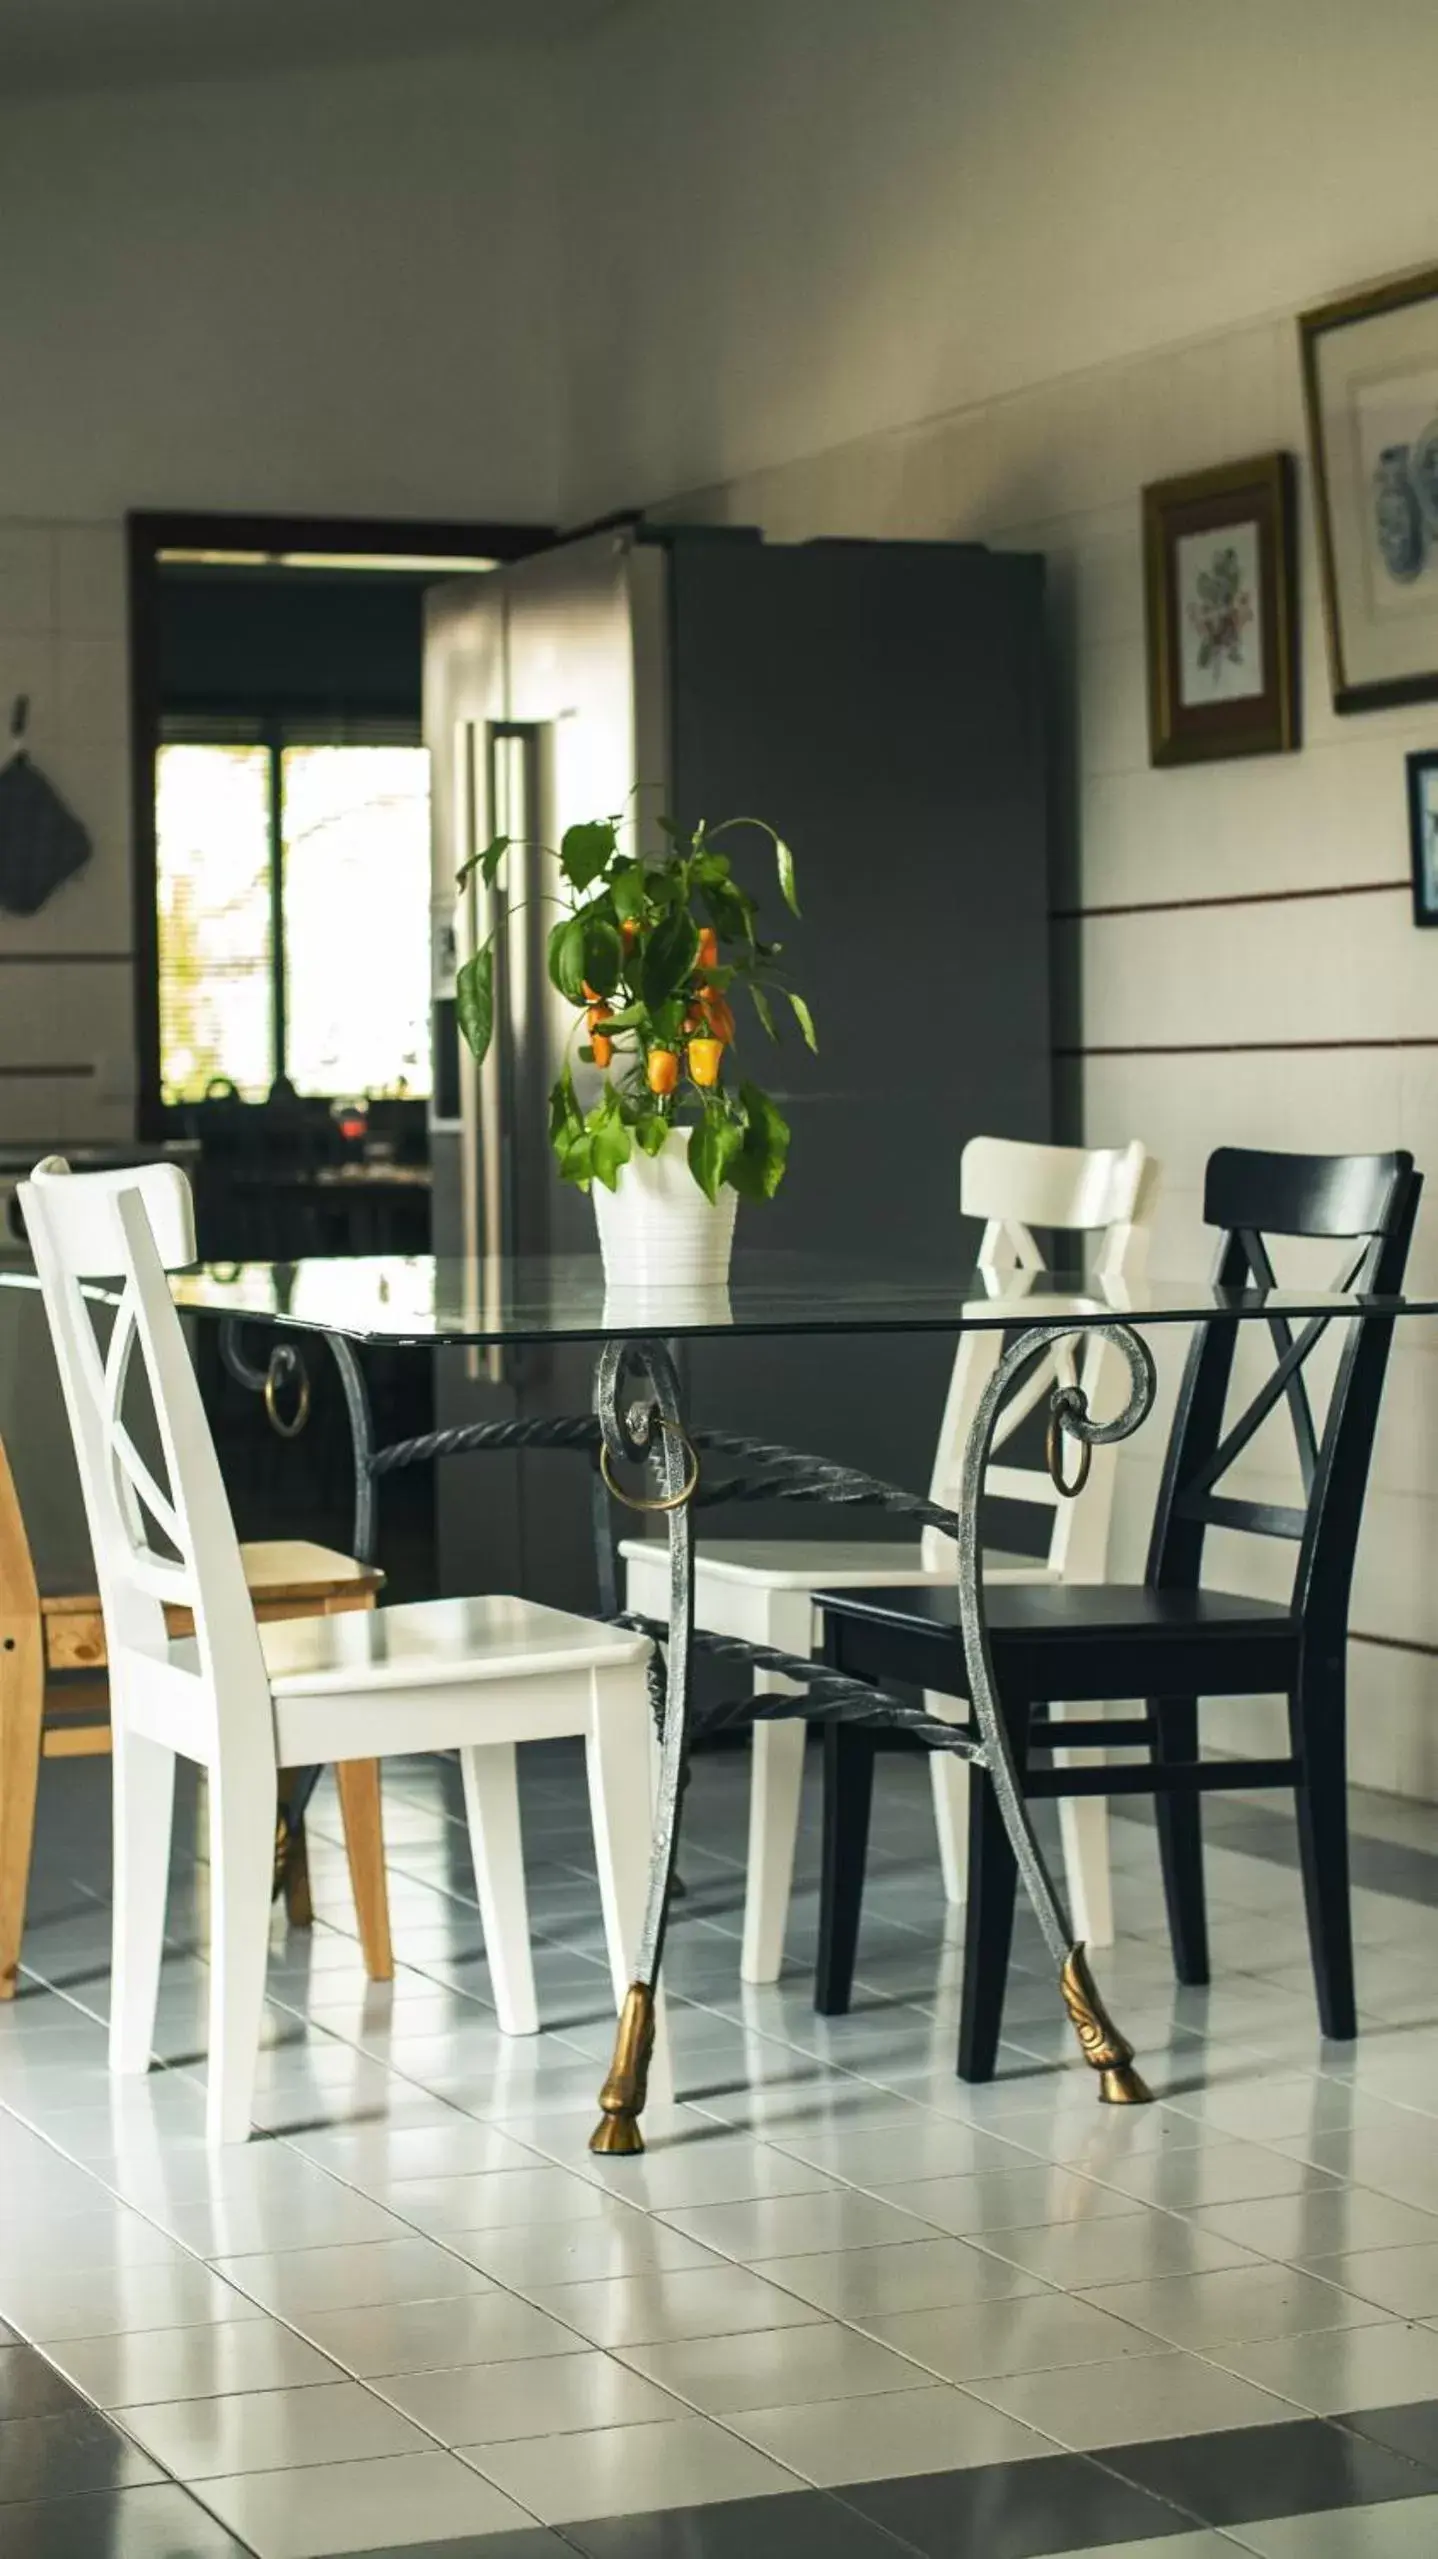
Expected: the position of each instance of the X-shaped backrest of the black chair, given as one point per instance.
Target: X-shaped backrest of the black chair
(1368, 1204)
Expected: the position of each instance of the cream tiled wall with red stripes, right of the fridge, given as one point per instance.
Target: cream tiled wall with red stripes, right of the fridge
(1061, 470)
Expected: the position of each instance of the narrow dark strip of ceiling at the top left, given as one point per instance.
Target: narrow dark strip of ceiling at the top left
(78, 45)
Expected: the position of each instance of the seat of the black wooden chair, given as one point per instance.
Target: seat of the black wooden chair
(1071, 1642)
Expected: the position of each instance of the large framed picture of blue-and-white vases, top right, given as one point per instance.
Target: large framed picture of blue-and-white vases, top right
(1370, 383)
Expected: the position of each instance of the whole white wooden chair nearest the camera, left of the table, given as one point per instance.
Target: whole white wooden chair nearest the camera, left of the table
(247, 1700)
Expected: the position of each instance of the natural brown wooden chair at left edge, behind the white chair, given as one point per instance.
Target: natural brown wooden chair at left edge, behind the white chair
(65, 1631)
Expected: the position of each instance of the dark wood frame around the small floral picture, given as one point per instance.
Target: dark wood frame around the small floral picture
(1235, 723)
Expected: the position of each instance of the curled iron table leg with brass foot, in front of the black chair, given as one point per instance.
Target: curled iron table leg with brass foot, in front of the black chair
(1102, 2043)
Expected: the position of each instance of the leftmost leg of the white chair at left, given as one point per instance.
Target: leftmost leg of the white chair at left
(142, 1780)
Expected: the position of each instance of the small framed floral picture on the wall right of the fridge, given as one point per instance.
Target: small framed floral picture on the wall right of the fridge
(1219, 585)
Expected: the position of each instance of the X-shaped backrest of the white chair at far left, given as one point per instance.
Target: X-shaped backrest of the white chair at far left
(155, 1544)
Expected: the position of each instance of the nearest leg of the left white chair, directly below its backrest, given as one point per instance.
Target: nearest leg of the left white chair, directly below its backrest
(242, 1872)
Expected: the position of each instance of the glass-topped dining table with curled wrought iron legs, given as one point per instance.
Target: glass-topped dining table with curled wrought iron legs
(654, 1457)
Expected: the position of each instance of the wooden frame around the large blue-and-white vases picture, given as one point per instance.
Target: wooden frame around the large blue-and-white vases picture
(1316, 329)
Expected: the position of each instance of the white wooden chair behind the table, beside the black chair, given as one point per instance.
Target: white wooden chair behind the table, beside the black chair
(764, 1588)
